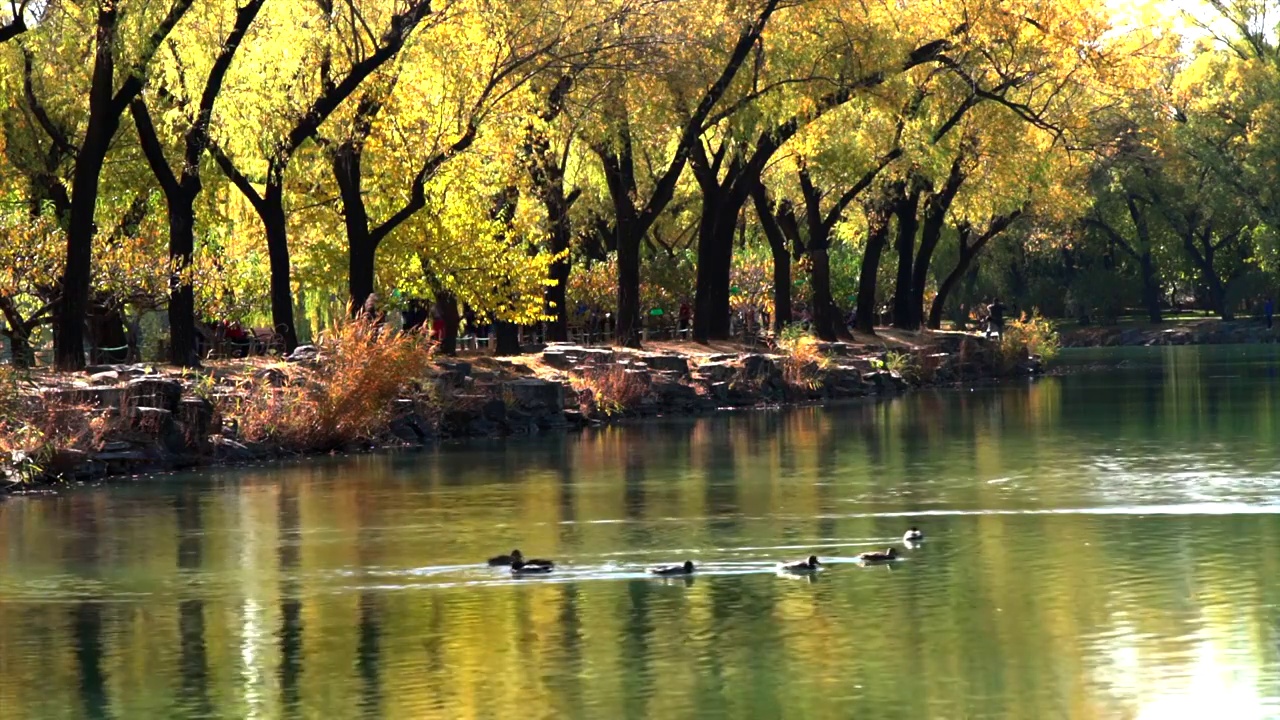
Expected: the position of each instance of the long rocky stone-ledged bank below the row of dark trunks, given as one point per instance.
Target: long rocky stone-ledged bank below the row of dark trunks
(161, 421)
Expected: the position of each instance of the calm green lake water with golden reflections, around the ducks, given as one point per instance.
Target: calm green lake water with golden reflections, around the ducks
(1099, 546)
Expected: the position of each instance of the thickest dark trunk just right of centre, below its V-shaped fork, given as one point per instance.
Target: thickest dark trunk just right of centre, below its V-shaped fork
(715, 274)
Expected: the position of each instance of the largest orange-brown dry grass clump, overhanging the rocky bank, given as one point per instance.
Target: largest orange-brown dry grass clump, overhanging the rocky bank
(346, 397)
